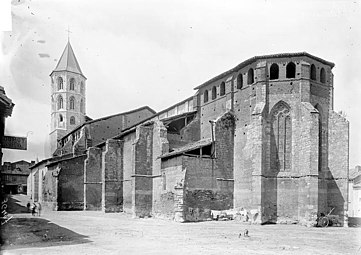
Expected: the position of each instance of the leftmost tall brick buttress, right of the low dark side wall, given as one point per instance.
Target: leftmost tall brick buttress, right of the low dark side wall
(93, 179)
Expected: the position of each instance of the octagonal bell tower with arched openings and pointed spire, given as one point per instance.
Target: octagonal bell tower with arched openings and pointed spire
(67, 97)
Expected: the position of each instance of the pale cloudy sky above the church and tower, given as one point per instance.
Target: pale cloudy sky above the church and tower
(137, 53)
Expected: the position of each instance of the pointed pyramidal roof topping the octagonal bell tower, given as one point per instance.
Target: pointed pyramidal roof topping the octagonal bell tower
(68, 61)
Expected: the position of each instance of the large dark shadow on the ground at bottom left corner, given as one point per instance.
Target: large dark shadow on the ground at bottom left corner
(37, 232)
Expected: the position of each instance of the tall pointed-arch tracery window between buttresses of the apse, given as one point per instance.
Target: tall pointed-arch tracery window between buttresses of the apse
(281, 138)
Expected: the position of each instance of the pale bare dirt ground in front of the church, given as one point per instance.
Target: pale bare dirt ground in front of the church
(98, 233)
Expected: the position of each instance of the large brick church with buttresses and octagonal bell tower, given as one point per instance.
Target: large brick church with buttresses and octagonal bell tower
(262, 137)
